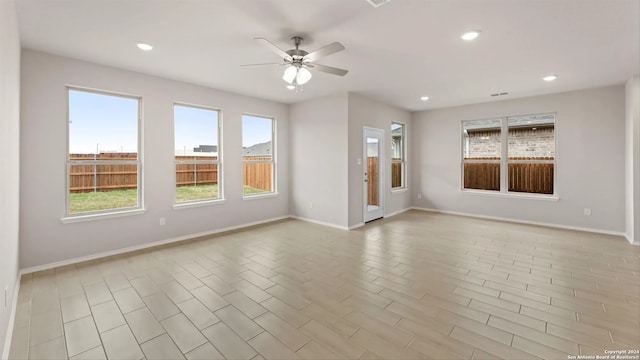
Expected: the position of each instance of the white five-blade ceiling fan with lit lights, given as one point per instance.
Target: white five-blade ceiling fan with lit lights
(299, 61)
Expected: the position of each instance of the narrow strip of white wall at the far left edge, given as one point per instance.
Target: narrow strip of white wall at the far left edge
(9, 160)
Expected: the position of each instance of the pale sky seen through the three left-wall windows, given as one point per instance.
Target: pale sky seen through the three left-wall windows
(106, 123)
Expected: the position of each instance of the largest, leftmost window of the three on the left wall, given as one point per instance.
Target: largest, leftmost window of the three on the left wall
(103, 162)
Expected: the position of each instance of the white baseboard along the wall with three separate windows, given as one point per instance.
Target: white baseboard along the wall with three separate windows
(145, 246)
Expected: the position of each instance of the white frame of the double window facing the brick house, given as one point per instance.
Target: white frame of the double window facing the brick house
(504, 161)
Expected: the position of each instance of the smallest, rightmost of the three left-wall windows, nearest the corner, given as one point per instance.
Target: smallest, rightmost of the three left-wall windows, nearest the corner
(257, 155)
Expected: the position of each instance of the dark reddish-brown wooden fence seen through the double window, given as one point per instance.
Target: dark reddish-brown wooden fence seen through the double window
(523, 177)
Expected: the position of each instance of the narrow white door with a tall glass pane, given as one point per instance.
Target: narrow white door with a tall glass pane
(373, 173)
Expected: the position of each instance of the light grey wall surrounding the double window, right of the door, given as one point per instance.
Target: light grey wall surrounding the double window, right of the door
(590, 160)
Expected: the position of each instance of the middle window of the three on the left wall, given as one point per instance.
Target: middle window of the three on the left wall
(197, 154)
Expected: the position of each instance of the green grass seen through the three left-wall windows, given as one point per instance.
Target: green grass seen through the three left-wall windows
(118, 199)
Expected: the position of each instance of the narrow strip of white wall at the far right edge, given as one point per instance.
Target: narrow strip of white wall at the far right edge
(632, 165)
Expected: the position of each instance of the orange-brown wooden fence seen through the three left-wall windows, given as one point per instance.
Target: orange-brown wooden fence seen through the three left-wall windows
(107, 177)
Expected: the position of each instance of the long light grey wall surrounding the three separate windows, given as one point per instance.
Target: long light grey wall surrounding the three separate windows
(44, 239)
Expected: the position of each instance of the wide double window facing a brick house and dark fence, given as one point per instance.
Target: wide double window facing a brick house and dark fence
(514, 154)
